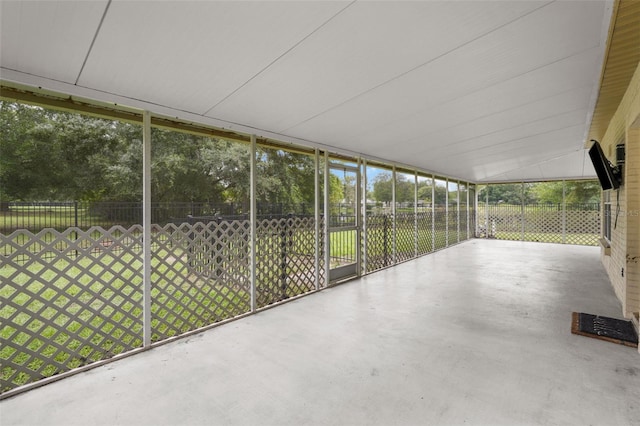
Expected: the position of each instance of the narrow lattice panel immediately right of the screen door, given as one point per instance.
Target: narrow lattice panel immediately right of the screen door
(379, 242)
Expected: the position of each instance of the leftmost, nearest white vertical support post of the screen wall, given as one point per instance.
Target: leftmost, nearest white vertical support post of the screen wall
(146, 227)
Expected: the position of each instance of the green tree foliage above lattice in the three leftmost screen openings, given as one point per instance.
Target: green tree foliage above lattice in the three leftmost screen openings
(54, 155)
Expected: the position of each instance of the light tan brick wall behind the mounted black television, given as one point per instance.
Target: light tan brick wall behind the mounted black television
(625, 246)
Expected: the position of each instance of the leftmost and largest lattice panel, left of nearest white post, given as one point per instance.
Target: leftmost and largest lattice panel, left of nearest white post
(68, 299)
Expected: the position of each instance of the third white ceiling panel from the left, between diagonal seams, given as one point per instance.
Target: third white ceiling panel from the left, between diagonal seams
(367, 45)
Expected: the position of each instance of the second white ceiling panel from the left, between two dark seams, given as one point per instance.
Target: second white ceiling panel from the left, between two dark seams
(191, 55)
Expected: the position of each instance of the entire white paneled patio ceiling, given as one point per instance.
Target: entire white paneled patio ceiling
(478, 90)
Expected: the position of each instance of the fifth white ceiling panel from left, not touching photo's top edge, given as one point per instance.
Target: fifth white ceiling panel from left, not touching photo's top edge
(534, 90)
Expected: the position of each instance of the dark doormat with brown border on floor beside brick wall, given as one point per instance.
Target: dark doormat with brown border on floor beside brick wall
(604, 328)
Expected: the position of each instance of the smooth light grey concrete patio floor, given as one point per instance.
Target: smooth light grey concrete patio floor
(478, 334)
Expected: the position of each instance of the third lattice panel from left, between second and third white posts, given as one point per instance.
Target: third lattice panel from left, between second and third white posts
(285, 253)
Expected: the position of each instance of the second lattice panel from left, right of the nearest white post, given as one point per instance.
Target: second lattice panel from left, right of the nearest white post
(200, 275)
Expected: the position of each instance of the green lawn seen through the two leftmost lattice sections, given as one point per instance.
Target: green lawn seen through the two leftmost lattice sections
(57, 315)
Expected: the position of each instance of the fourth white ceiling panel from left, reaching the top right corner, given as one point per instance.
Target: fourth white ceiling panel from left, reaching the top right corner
(548, 35)
